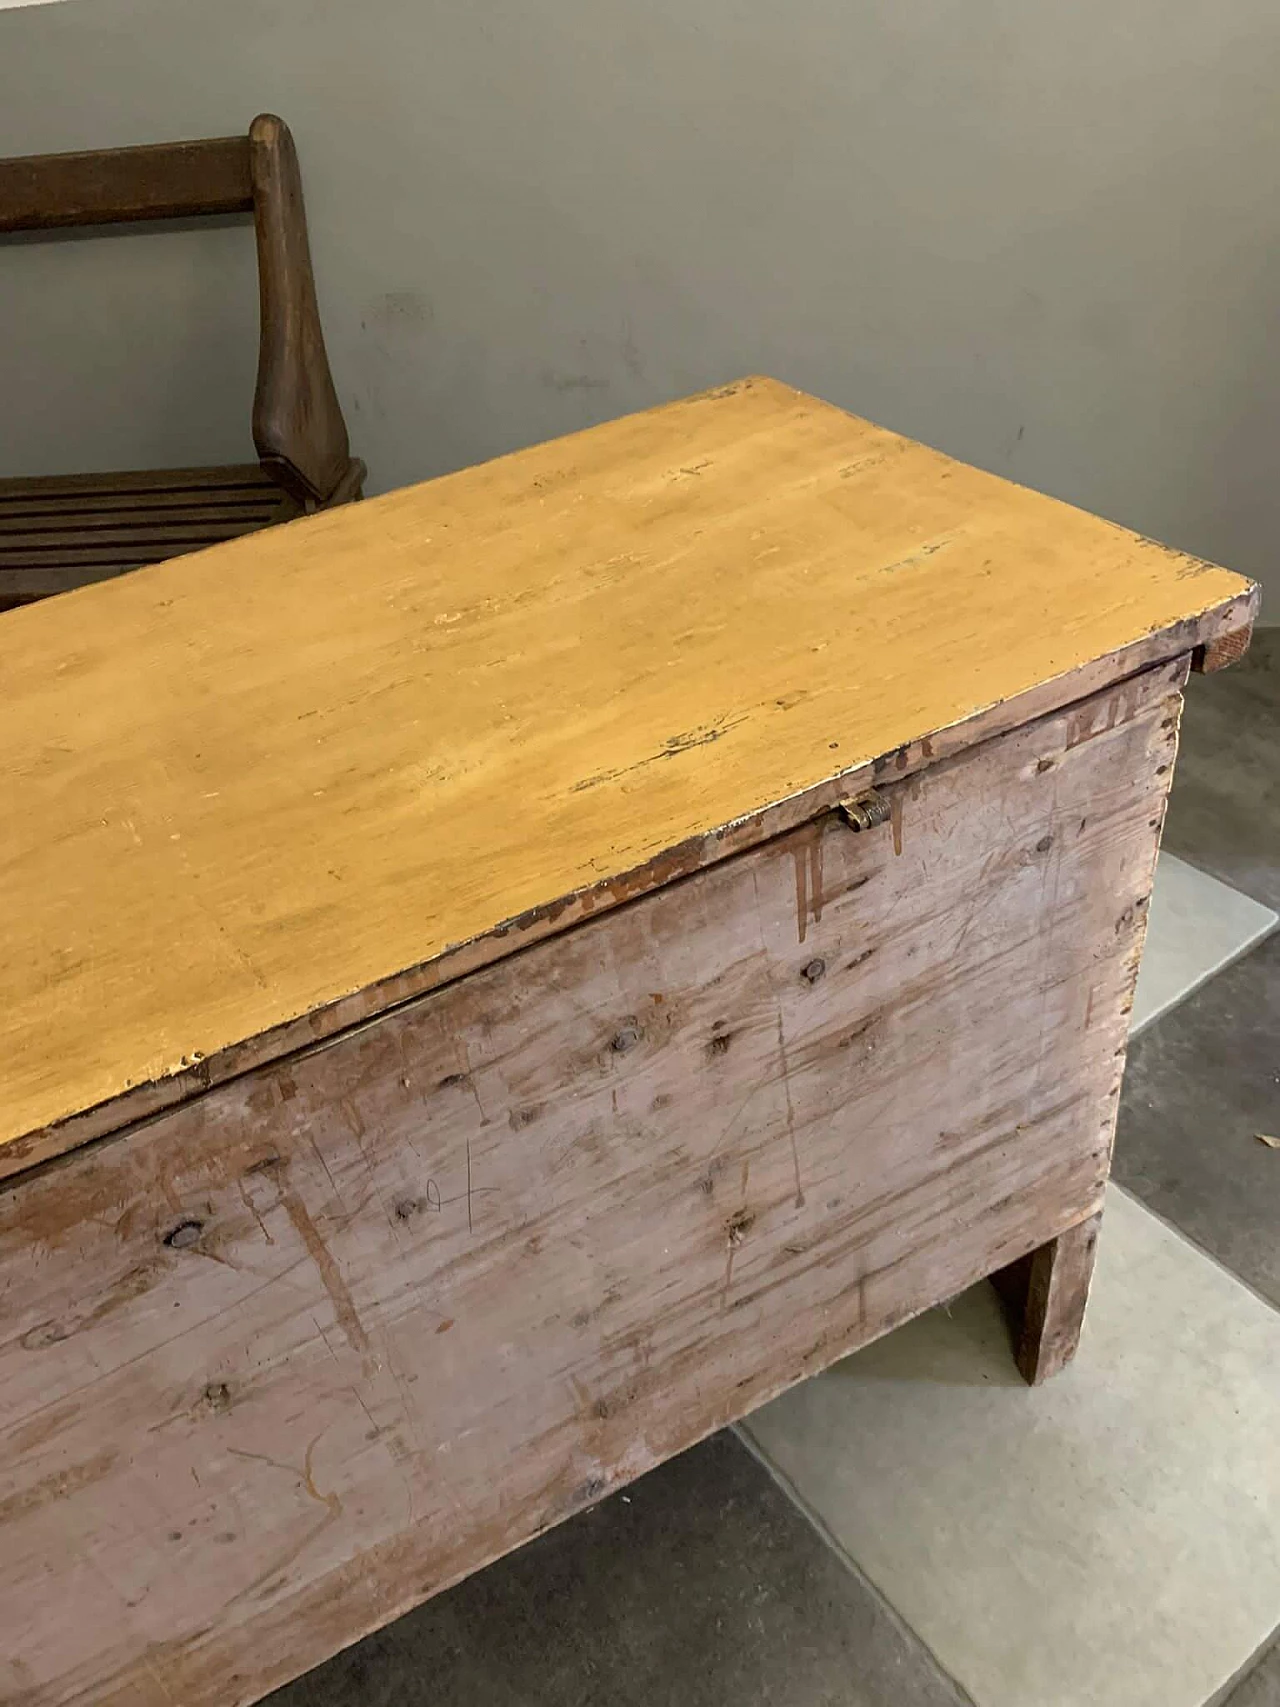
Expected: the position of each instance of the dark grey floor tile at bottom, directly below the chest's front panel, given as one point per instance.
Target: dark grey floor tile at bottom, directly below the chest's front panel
(702, 1587)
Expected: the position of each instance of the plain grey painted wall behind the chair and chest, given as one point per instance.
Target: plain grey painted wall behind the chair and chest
(1042, 236)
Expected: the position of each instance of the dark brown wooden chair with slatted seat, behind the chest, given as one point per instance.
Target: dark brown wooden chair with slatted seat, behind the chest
(64, 532)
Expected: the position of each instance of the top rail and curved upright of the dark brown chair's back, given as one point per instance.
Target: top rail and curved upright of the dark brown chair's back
(298, 422)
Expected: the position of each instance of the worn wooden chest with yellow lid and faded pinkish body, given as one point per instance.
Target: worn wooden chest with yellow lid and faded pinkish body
(508, 977)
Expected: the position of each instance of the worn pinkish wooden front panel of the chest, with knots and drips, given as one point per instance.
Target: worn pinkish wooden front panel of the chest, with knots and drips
(301, 1353)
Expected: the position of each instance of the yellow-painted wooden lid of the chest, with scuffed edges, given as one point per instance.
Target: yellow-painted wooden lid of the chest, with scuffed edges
(243, 784)
